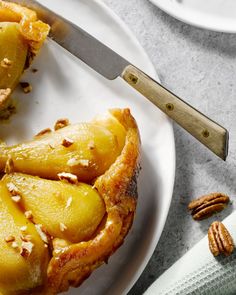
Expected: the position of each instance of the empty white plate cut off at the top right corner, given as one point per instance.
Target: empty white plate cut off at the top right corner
(216, 15)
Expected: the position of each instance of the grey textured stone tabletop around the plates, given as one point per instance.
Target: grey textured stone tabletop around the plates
(200, 66)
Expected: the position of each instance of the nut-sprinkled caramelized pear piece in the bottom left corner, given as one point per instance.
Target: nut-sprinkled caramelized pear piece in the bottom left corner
(19, 271)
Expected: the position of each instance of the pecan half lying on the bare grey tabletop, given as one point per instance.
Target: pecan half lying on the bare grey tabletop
(207, 205)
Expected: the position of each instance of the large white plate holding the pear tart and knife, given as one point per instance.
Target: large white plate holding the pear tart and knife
(65, 87)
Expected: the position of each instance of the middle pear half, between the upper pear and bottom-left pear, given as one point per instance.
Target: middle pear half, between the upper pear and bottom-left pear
(66, 211)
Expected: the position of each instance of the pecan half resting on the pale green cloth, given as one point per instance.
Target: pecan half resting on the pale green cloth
(220, 240)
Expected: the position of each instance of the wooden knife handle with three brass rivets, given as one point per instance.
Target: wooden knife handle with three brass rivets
(209, 133)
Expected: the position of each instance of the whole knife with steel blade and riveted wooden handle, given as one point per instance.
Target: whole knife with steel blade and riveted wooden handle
(111, 65)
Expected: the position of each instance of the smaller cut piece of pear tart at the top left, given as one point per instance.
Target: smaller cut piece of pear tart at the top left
(21, 37)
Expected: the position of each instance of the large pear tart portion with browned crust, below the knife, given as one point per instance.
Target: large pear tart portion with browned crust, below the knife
(69, 198)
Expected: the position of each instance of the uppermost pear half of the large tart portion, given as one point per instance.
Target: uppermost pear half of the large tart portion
(86, 150)
